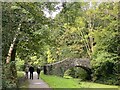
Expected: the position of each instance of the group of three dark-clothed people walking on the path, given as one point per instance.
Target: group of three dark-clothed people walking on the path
(31, 69)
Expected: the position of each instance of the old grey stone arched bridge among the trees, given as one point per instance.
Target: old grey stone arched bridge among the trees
(60, 67)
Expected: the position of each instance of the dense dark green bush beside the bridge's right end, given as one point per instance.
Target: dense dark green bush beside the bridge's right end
(104, 68)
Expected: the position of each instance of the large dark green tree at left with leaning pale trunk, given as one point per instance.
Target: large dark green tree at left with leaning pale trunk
(18, 19)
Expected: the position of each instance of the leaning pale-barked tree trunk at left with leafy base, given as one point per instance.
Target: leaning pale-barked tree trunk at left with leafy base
(10, 68)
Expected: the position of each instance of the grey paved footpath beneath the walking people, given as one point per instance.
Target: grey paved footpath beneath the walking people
(36, 83)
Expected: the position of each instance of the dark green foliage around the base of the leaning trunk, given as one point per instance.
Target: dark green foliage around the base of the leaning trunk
(9, 76)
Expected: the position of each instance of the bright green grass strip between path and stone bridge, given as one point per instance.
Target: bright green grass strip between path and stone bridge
(59, 82)
